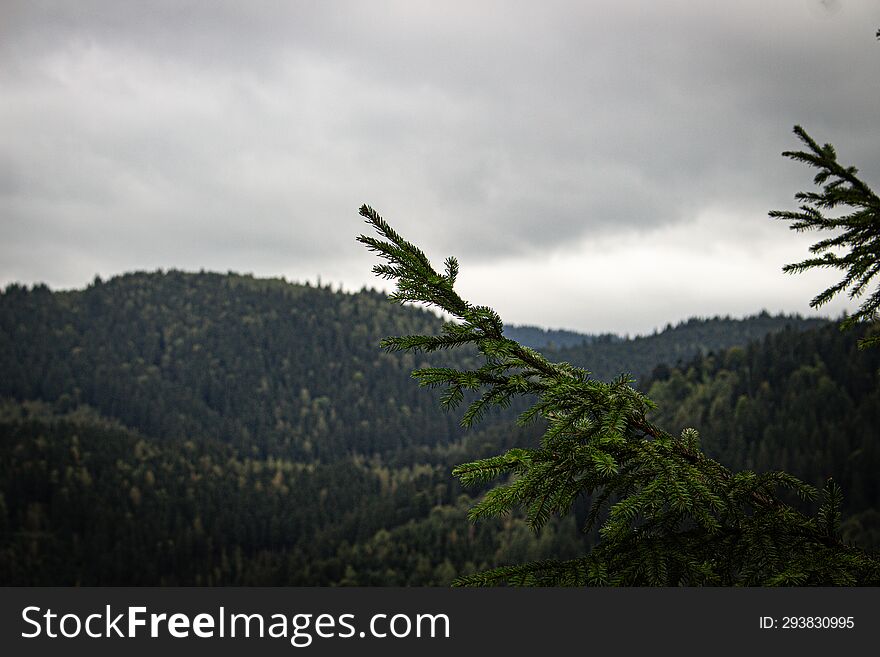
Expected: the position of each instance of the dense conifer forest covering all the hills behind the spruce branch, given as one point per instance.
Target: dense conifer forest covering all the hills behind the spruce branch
(173, 428)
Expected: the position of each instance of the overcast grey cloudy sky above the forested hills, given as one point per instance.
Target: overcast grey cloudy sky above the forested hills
(601, 166)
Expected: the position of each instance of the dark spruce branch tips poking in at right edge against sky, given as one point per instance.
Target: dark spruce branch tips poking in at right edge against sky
(857, 230)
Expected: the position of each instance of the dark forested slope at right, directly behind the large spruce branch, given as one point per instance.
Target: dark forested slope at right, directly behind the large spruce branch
(807, 403)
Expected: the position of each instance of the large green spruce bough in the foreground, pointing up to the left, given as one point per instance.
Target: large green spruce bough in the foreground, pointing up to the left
(667, 514)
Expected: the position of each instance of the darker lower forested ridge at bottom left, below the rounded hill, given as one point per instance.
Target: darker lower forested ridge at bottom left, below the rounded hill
(85, 501)
